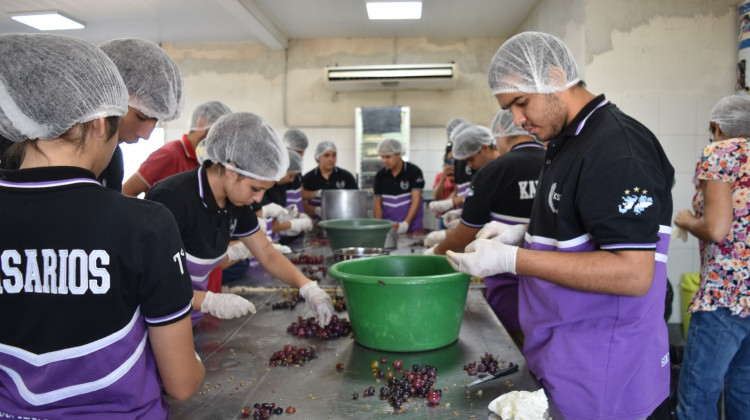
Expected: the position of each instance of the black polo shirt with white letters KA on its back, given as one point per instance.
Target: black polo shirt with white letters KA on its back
(504, 189)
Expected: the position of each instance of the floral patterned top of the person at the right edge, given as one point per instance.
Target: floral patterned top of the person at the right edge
(725, 272)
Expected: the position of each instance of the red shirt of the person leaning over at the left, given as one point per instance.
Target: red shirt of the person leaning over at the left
(172, 158)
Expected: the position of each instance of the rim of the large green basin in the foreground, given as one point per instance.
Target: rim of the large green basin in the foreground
(335, 272)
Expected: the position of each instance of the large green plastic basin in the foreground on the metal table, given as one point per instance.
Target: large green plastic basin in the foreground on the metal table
(403, 303)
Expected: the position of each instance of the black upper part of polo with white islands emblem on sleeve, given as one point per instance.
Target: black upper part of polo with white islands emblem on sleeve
(605, 175)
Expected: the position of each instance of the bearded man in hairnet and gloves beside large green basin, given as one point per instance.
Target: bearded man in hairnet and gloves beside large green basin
(593, 266)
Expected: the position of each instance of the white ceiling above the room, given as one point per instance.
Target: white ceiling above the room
(272, 22)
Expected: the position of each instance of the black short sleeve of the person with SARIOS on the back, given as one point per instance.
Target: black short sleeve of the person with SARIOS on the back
(166, 292)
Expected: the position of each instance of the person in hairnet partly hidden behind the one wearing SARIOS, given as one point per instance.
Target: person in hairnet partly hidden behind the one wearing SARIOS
(155, 93)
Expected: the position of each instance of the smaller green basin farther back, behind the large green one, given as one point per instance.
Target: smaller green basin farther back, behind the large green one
(356, 233)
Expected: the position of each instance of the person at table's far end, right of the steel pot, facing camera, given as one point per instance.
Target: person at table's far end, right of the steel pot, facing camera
(398, 189)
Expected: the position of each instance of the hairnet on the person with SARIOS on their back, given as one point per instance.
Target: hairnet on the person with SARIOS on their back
(49, 83)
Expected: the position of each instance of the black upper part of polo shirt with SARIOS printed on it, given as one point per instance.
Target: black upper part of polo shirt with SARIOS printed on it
(88, 260)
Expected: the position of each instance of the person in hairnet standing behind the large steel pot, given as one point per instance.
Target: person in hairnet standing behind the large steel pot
(327, 176)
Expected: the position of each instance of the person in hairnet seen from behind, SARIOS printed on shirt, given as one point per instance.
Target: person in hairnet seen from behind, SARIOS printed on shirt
(95, 313)
